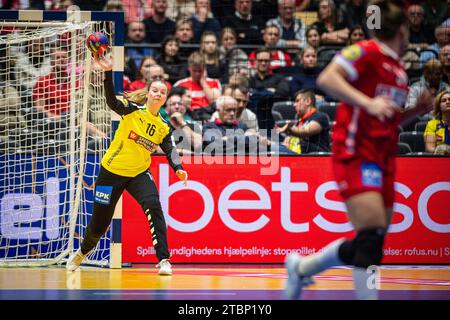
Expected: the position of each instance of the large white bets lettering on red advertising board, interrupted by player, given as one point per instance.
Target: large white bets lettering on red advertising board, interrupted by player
(286, 187)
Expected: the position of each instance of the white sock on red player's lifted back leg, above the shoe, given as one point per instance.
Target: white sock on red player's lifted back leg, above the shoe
(324, 259)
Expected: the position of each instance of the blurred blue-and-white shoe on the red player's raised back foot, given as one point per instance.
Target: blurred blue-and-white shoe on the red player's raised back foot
(295, 282)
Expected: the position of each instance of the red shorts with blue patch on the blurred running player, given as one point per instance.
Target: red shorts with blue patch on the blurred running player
(356, 176)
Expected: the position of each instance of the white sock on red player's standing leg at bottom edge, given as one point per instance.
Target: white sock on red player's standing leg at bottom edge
(365, 283)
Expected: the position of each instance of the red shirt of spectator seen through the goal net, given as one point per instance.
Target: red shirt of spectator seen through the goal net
(55, 93)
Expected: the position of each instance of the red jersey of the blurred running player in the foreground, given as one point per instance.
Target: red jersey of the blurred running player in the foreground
(376, 70)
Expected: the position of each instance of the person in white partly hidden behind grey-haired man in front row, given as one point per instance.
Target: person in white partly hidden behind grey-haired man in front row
(242, 97)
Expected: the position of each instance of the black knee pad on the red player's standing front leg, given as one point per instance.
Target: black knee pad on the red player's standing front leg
(368, 246)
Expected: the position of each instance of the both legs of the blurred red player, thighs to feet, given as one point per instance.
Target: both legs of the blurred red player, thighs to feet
(369, 217)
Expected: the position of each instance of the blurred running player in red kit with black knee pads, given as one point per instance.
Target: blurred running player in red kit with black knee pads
(372, 84)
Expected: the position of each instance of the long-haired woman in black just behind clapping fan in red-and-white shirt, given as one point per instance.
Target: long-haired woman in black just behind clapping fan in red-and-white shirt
(215, 68)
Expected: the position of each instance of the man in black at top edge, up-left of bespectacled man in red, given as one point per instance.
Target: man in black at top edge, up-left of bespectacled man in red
(248, 27)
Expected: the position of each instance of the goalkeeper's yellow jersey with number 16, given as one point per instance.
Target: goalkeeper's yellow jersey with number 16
(137, 137)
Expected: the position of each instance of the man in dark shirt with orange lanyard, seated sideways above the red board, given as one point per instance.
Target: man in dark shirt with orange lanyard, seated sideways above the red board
(310, 132)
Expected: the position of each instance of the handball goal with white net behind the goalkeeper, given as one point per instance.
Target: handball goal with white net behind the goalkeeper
(55, 127)
